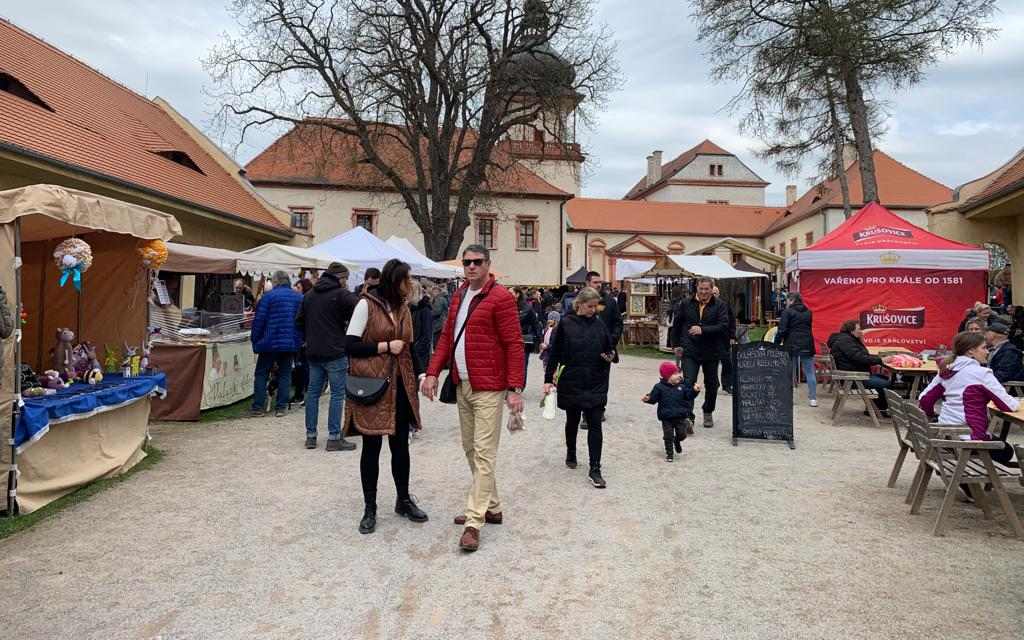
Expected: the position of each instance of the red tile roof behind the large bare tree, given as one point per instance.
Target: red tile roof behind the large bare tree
(316, 155)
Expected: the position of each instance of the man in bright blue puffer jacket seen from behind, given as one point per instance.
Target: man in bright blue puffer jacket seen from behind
(276, 340)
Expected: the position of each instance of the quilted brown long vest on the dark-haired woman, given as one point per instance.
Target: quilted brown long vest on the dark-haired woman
(378, 419)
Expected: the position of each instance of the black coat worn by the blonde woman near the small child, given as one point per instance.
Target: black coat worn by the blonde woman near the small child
(579, 344)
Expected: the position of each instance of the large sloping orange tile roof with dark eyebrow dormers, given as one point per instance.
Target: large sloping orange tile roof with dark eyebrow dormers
(100, 127)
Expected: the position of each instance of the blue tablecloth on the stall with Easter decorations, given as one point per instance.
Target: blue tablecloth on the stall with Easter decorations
(81, 401)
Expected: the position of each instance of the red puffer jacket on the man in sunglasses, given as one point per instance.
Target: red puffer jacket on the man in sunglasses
(493, 340)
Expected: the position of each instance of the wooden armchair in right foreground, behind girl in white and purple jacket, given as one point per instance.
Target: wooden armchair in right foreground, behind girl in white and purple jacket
(958, 462)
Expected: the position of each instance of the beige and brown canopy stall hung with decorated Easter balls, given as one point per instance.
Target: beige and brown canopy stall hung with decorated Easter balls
(112, 310)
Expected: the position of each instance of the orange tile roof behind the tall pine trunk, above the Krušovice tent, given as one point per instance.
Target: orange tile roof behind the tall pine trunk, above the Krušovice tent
(900, 187)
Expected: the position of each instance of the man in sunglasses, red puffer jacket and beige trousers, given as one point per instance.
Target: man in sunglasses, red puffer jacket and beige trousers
(483, 346)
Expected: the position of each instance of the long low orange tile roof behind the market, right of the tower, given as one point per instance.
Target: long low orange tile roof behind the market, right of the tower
(638, 217)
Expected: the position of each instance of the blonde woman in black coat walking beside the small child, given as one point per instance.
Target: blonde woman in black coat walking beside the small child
(582, 344)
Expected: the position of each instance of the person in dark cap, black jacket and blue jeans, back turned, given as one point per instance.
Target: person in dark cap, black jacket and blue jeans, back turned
(324, 319)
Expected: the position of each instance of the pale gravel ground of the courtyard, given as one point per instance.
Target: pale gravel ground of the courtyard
(240, 533)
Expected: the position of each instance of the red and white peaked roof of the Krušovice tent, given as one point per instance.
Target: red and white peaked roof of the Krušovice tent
(876, 238)
